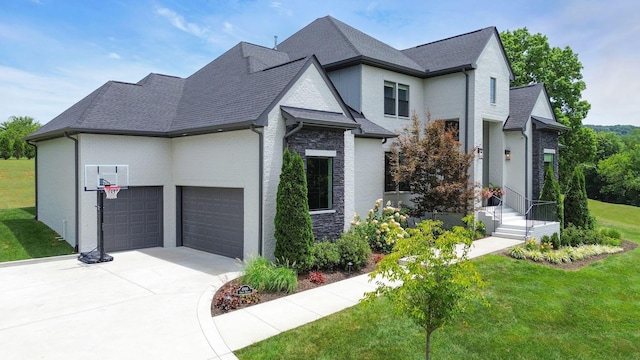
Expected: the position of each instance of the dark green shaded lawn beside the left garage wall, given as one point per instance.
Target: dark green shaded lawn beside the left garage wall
(22, 237)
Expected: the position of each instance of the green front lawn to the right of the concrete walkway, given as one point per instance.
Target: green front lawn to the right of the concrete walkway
(536, 312)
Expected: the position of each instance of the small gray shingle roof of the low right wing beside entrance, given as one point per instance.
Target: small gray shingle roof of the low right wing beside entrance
(521, 102)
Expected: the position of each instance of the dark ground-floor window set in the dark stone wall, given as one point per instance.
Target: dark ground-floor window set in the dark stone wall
(319, 183)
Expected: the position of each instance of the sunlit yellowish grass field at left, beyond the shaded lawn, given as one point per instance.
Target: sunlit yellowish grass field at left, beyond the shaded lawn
(17, 189)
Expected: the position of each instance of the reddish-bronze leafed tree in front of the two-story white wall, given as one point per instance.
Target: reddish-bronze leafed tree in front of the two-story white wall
(429, 159)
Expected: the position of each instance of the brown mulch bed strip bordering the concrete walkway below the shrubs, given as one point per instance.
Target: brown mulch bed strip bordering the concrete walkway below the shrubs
(303, 284)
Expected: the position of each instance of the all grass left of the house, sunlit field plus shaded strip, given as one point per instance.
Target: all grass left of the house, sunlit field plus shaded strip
(22, 237)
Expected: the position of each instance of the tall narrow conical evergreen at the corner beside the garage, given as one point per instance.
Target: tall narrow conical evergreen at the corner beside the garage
(293, 227)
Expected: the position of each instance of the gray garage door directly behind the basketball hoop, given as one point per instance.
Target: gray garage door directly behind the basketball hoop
(134, 219)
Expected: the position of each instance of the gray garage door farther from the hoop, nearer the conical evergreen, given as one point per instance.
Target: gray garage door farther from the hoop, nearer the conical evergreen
(213, 220)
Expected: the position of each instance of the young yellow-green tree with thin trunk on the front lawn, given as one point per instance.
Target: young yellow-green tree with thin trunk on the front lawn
(426, 279)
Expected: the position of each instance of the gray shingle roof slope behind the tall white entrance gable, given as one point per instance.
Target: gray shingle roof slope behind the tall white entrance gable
(454, 53)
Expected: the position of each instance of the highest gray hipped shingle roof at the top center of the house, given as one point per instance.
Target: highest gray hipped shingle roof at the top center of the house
(337, 44)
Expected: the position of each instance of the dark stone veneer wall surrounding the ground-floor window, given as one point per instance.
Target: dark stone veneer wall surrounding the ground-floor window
(328, 225)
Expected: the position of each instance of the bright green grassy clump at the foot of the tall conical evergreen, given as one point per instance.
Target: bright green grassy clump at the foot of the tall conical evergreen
(263, 275)
